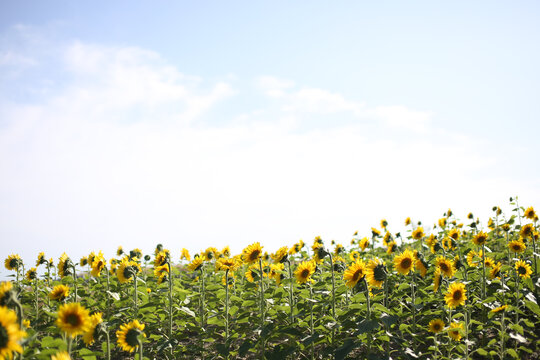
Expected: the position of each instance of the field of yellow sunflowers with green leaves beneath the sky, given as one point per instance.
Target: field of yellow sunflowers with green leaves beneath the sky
(463, 290)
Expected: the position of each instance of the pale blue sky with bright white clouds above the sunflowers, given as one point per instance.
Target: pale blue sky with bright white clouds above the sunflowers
(197, 124)
